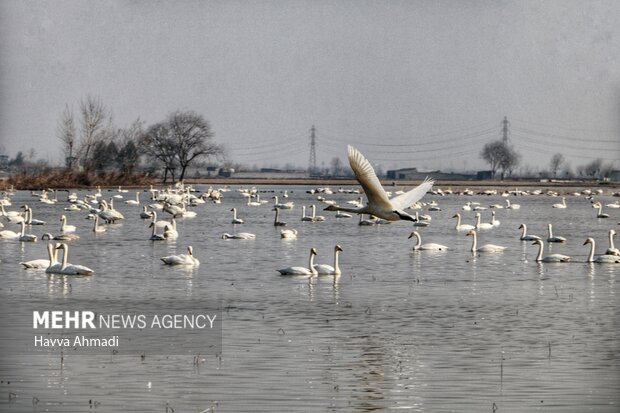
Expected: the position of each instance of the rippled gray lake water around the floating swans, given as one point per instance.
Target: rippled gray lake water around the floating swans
(419, 331)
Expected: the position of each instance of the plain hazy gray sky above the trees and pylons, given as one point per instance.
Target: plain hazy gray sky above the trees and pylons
(410, 83)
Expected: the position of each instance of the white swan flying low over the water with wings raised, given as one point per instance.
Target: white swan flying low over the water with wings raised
(378, 203)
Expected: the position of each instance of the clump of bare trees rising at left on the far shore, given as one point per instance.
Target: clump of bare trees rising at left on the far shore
(92, 144)
